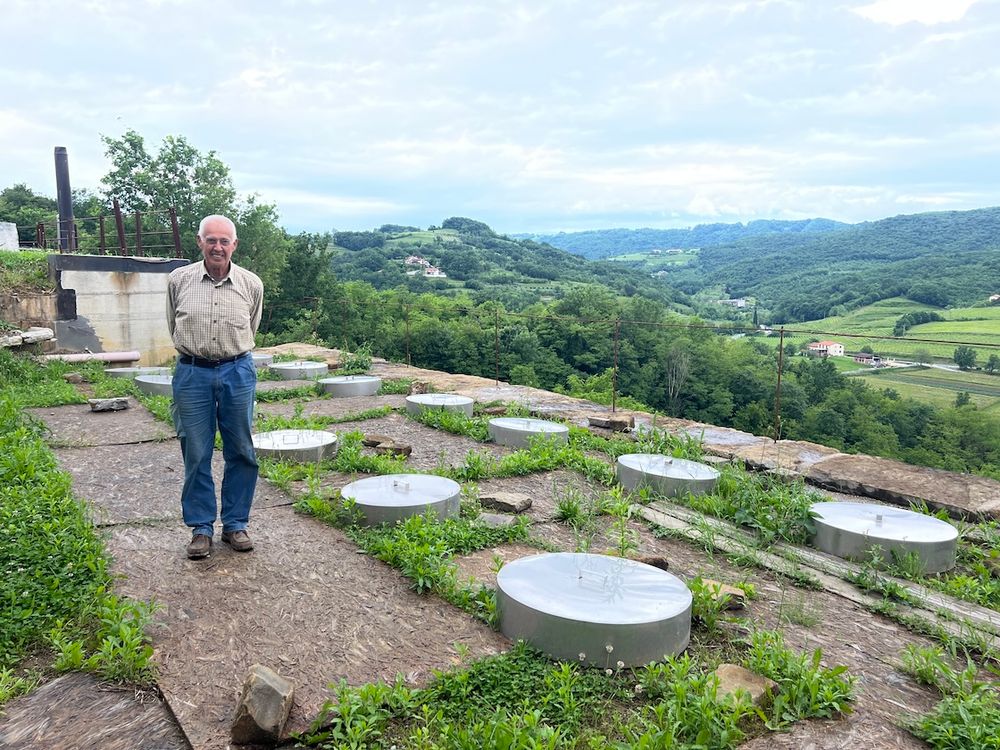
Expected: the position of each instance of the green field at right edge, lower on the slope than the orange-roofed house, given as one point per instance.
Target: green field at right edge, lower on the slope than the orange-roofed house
(939, 387)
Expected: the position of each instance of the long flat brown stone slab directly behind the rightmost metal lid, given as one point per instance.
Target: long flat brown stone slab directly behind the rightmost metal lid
(961, 495)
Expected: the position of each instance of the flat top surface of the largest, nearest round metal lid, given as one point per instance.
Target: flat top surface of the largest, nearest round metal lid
(594, 588)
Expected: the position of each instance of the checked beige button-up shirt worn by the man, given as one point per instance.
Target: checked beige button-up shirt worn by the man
(210, 319)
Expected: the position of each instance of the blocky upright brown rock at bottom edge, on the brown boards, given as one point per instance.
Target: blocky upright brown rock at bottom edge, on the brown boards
(263, 707)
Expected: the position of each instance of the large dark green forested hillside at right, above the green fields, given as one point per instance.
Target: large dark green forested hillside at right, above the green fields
(943, 258)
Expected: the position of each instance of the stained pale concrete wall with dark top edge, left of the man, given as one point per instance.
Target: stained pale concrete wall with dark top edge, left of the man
(111, 303)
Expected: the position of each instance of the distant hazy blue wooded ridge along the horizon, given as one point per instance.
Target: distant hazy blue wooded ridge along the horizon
(604, 243)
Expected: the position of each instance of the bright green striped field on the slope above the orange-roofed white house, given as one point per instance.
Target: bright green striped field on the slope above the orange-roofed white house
(872, 325)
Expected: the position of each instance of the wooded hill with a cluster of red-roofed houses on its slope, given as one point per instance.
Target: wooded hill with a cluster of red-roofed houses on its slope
(475, 259)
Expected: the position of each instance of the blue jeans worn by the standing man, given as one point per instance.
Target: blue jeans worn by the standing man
(206, 399)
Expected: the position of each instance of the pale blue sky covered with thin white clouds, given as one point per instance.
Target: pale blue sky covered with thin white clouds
(532, 116)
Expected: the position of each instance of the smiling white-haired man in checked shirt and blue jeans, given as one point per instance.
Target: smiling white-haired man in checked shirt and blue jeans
(213, 311)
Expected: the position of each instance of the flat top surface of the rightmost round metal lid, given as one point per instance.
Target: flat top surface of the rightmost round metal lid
(884, 522)
